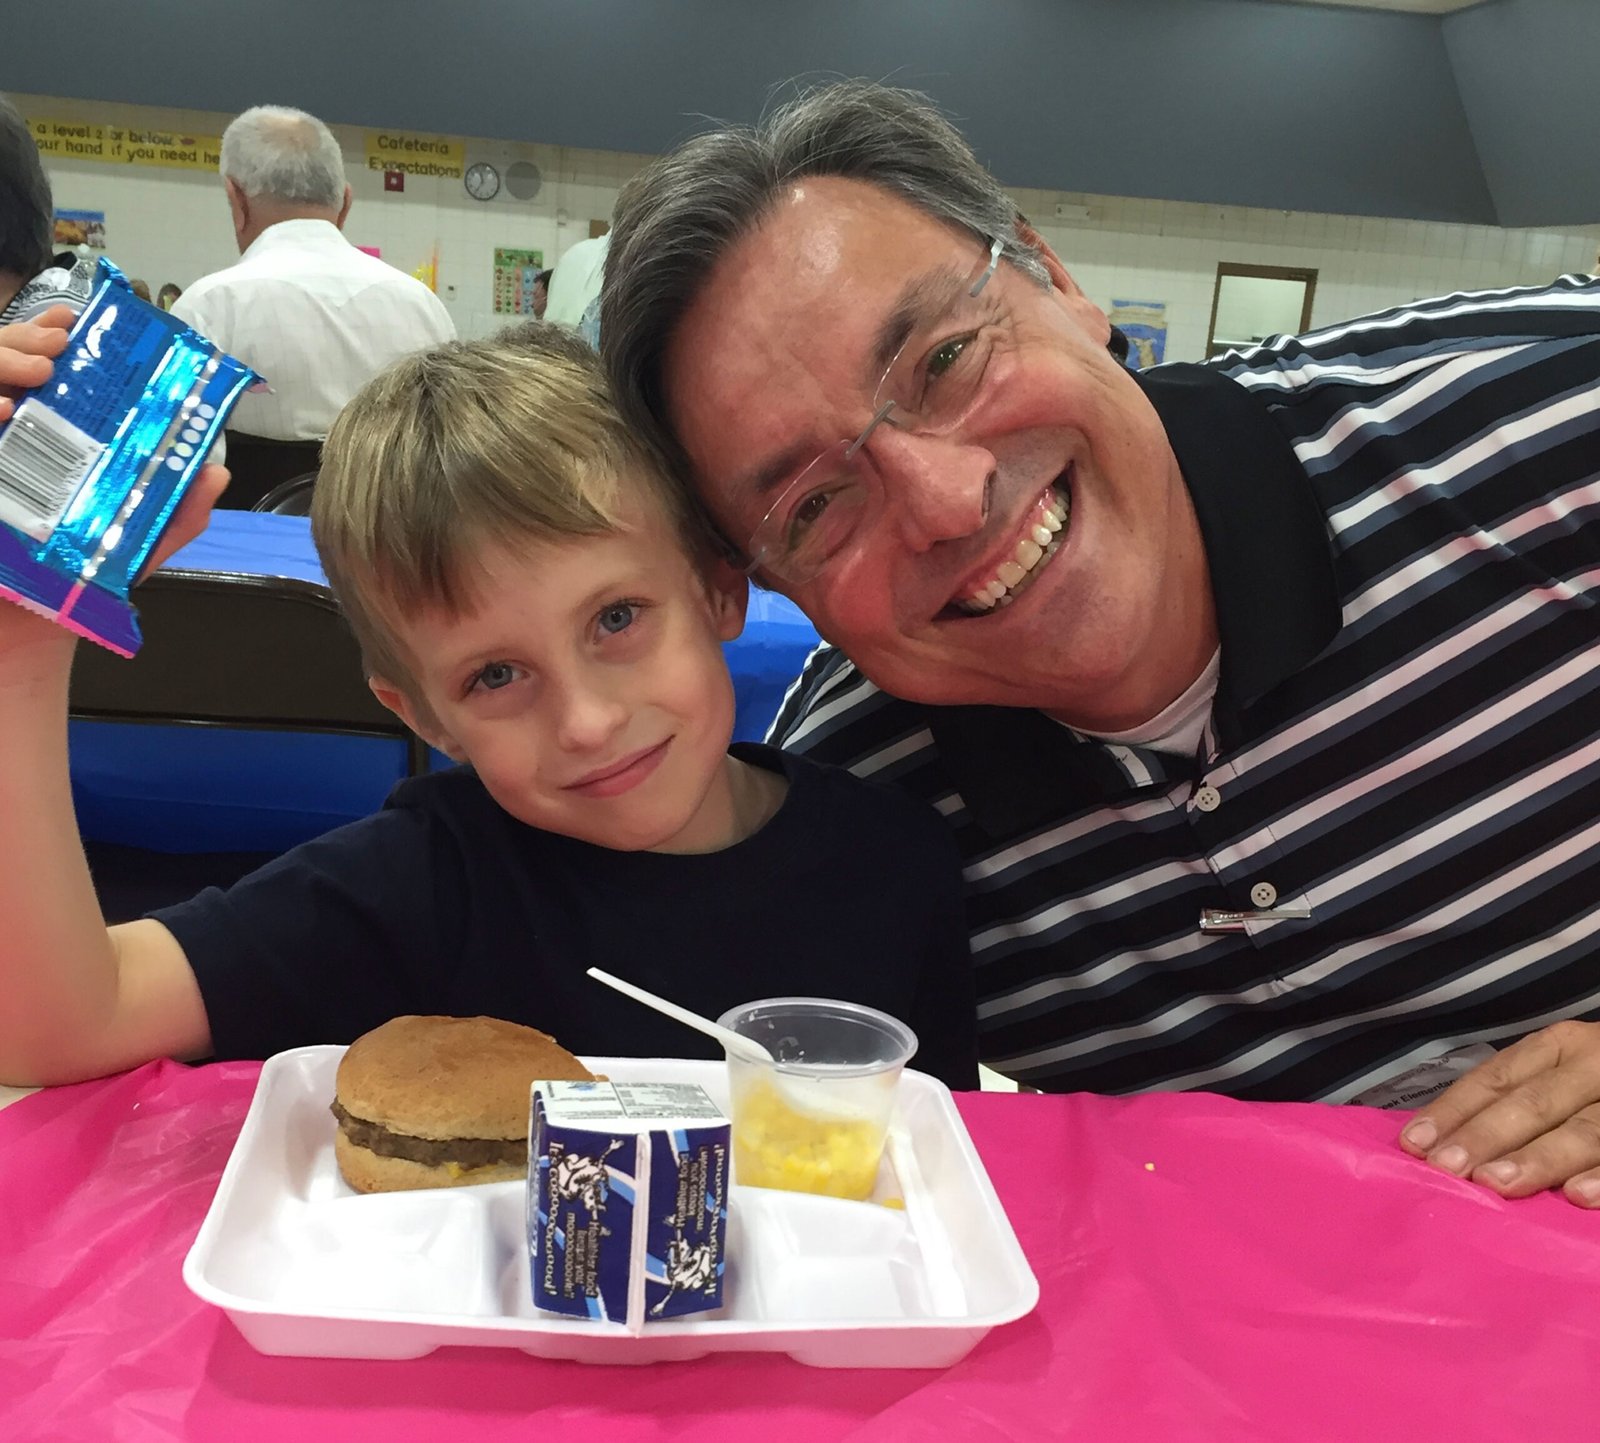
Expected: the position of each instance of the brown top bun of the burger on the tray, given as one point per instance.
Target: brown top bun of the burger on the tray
(450, 1077)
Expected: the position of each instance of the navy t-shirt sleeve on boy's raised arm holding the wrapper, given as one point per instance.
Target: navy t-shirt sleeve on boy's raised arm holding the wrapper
(327, 941)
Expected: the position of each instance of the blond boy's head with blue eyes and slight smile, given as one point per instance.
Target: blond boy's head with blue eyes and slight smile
(532, 594)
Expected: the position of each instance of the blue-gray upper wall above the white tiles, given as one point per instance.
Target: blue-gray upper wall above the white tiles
(1257, 103)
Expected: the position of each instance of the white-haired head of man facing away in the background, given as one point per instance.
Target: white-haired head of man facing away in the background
(282, 166)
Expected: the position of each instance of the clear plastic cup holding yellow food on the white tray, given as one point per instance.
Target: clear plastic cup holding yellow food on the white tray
(815, 1119)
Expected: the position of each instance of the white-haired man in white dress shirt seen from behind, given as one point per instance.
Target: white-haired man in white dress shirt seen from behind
(303, 306)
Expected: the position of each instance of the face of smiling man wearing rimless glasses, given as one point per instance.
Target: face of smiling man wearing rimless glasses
(1006, 412)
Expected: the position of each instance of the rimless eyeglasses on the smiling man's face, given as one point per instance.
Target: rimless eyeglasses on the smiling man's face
(929, 390)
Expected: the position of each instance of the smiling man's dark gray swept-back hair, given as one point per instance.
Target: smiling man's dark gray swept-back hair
(681, 215)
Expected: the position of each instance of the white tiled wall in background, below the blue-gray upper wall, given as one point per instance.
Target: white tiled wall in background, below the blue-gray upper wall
(174, 226)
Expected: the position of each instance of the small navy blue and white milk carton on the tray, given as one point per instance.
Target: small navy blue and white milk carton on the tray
(628, 1201)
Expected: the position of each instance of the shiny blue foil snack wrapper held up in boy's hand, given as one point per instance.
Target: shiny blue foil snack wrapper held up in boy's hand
(95, 462)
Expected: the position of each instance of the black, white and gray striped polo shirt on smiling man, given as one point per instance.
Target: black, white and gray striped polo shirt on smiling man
(1402, 522)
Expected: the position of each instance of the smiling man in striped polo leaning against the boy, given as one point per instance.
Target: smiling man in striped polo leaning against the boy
(1260, 695)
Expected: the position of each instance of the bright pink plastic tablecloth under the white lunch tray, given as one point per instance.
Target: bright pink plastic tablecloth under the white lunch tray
(1209, 1269)
